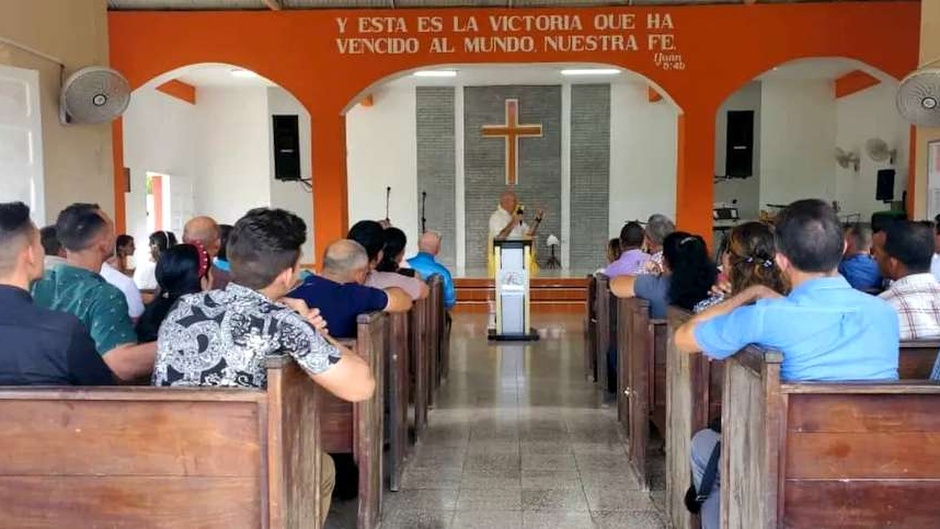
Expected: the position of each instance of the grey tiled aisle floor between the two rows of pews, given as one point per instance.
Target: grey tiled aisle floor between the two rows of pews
(519, 439)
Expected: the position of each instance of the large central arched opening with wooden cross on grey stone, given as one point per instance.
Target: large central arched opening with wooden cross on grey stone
(603, 150)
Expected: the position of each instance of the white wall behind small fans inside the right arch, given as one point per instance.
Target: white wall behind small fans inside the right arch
(868, 114)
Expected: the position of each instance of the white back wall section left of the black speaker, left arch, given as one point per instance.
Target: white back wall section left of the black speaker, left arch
(234, 164)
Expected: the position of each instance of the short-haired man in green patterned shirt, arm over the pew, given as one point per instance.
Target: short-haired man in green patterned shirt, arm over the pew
(87, 234)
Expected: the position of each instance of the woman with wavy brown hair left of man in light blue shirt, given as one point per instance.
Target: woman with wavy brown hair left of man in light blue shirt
(747, 259)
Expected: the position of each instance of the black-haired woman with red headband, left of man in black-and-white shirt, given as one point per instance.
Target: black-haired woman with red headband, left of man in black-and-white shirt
(182, 270)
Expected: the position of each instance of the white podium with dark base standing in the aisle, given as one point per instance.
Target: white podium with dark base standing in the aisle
(512, 259)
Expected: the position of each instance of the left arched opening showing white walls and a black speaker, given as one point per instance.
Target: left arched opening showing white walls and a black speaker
(214, 139)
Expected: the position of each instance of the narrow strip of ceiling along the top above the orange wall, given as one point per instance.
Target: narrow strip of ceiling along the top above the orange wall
(175, 5)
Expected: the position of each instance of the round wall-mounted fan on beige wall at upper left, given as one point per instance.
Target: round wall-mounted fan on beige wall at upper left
(93, 95)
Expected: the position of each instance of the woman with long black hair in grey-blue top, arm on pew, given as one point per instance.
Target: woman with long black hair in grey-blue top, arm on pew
(687, 277)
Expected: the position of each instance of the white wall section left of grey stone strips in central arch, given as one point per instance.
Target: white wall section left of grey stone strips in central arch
(381, 151)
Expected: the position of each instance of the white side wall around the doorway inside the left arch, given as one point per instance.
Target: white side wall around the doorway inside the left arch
(160, 135)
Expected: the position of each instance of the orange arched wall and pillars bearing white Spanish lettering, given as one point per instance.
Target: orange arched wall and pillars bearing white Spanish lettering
(720, 49)
